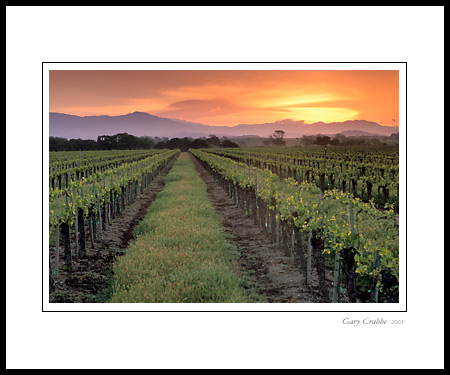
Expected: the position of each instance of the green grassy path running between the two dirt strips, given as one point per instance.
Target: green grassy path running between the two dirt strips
(180, 253)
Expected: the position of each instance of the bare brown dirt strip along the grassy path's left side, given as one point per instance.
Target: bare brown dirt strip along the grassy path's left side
(88, 281)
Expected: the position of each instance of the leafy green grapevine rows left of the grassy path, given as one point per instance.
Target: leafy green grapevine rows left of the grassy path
(88, 190)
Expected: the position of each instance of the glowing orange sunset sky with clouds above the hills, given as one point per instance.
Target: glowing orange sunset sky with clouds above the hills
(230, 97)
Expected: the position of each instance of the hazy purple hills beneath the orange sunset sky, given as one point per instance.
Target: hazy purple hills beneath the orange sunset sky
(144, 124)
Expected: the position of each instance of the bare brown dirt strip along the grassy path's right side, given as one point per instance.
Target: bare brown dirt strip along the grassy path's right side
(277, 276)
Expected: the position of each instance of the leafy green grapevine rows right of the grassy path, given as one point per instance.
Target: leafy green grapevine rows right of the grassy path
(319, 207)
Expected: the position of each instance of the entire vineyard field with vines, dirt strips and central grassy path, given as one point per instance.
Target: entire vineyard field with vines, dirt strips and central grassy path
(260, 225)
